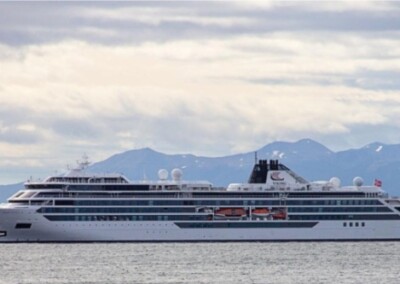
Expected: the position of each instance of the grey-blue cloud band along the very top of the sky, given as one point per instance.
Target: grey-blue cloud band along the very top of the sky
(27, 23)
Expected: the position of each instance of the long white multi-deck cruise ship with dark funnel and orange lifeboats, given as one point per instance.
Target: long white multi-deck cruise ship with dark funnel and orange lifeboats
(275, 204)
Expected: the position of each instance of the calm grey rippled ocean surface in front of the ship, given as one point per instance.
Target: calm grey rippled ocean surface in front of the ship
(325, 262)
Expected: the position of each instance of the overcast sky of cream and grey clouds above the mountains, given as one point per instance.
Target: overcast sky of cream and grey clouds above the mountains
(208, 78)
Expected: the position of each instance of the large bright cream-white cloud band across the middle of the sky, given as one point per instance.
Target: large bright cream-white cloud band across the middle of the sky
(106, 91)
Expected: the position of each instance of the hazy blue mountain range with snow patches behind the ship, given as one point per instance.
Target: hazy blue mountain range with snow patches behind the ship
(306, 157)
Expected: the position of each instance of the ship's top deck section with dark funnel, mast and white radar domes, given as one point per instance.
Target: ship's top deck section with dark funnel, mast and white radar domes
(268, 177)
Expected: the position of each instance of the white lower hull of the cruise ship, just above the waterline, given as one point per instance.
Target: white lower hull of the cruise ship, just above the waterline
(43, 230)
